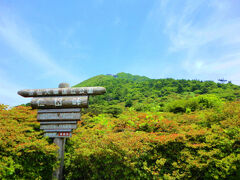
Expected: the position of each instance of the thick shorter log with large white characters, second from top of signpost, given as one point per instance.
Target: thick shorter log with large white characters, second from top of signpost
(60, 102)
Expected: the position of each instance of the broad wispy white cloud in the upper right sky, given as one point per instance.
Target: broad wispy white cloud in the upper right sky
(207, 32)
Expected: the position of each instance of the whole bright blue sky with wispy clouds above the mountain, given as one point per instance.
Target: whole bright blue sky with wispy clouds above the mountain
(43, 43)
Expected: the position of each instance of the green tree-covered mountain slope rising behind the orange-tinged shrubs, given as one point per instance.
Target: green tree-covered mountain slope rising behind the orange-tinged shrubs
(144, 94)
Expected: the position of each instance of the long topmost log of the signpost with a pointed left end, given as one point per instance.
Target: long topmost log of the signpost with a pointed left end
(62, 91)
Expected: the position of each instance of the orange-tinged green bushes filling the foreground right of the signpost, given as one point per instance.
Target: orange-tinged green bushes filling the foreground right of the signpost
(154, 145)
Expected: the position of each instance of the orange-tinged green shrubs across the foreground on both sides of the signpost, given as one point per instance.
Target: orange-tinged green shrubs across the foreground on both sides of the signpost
(203, 144)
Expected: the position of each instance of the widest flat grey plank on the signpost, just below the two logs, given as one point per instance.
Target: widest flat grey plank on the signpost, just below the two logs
(58, 116)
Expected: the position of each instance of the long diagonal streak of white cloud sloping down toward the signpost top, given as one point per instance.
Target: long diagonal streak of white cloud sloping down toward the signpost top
(18, 36)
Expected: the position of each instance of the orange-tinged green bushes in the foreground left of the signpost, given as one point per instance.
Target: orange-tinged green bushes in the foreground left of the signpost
(24, 153)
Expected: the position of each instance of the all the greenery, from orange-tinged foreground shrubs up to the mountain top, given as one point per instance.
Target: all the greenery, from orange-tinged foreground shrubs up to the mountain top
(141, 128)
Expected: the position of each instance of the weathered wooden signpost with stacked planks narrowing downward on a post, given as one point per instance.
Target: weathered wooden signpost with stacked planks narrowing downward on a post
(59, 111)
